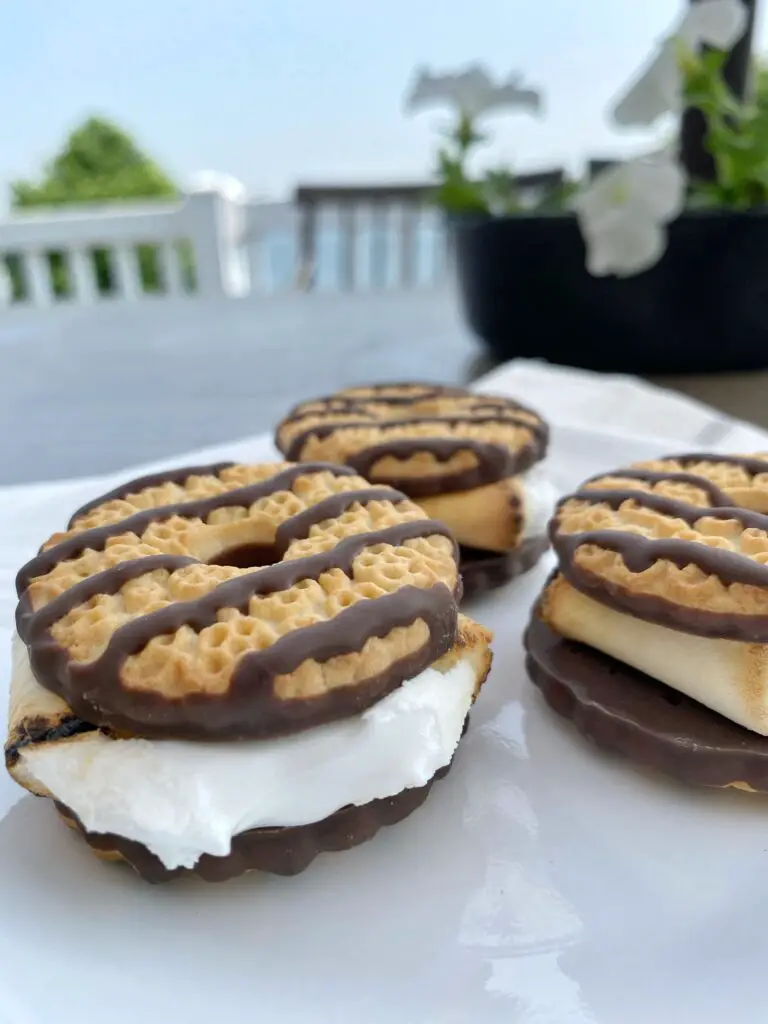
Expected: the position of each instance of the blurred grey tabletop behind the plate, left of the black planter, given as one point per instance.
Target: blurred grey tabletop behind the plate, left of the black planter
(152, 380)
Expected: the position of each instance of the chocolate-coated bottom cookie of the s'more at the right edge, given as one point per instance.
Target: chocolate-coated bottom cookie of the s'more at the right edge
(623, 710)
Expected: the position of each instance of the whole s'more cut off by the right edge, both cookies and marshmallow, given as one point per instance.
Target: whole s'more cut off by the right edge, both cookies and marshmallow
(662, 586)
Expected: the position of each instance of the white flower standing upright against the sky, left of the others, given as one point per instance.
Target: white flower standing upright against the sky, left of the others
(472, 92)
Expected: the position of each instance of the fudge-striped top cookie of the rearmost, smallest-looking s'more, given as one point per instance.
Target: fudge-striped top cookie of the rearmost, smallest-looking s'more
(425, 440)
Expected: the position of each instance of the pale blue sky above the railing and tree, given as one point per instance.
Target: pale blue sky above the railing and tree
(277, 92)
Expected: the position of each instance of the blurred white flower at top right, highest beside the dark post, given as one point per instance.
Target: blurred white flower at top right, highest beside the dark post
(659, 90)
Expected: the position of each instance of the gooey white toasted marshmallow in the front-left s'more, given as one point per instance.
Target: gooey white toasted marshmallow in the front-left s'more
(184, 799)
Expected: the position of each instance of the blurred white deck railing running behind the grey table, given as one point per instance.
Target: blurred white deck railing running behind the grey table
(212, 243)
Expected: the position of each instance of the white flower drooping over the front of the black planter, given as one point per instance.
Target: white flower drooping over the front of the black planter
(623, 214)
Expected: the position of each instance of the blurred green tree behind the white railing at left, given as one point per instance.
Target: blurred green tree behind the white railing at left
(99, 162)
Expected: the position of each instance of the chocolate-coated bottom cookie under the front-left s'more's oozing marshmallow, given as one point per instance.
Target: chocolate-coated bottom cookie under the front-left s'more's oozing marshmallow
(278, 851)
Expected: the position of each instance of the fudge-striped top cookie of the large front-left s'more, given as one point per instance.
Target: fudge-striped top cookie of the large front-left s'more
(141, 619)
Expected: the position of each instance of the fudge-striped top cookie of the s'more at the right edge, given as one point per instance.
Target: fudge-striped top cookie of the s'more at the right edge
(677, 542)
